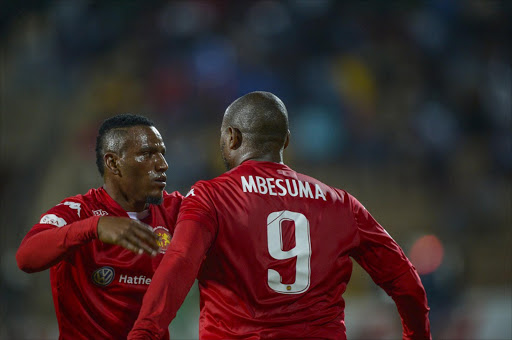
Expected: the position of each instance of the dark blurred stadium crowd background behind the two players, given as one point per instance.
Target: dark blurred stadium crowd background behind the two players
(405, 104)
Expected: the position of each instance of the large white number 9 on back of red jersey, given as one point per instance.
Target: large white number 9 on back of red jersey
(302, 251)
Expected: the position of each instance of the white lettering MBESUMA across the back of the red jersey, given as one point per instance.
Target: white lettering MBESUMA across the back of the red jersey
(281, 187)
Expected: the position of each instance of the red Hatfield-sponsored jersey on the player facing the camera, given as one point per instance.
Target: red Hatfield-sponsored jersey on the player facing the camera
(97, 288)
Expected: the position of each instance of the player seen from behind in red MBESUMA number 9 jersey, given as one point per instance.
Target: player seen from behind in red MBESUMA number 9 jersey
(272, 247)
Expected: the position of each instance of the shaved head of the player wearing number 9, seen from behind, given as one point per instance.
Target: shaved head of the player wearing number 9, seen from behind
(258, 122)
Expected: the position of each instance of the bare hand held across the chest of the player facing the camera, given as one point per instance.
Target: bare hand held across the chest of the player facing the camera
(128, 233)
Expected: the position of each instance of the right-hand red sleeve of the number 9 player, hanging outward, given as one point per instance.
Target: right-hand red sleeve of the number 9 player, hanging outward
(388, 266)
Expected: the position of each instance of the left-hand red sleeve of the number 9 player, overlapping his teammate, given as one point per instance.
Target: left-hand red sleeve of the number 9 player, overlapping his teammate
(172, 280)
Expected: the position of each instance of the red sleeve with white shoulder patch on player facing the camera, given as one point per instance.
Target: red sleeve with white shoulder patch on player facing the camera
(57, 234)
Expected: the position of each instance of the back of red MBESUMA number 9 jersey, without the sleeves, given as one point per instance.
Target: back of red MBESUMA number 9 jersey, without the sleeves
(279, 263)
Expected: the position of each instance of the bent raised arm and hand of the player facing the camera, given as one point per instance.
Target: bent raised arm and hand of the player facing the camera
(46, 244)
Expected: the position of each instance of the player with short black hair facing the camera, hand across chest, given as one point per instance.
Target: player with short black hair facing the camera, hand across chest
(103, 247)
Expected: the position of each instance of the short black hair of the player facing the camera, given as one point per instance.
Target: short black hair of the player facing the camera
(119, 121)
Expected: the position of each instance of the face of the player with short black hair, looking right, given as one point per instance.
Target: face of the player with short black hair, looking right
(142, 165)
